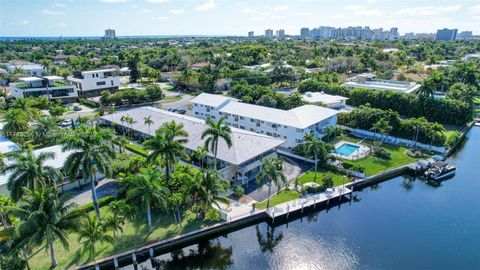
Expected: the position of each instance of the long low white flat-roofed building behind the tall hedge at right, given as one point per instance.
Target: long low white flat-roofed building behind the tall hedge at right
(368, 81)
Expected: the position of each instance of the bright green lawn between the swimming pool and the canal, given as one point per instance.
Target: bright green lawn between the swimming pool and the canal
(374, 165)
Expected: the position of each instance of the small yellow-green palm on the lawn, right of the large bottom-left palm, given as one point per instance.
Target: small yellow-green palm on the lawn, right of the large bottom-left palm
(92, 230)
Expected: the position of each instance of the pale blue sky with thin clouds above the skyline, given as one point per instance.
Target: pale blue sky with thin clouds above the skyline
(227, 17)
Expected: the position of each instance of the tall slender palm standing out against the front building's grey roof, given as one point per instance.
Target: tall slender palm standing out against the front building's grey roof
(213, 133)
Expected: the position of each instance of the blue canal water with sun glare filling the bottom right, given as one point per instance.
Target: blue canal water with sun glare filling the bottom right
(403, 223)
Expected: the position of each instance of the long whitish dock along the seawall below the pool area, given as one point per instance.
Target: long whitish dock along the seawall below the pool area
(308, 201)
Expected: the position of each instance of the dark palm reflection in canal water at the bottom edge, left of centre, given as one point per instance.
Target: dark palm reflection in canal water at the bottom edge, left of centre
(206, 255)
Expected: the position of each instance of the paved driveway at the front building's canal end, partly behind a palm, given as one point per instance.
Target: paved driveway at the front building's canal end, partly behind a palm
(291, 169)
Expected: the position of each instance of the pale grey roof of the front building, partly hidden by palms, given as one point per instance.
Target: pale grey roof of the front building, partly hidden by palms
(245, 144)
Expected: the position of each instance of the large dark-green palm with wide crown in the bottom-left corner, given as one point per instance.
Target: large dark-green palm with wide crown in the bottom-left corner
(46, 218)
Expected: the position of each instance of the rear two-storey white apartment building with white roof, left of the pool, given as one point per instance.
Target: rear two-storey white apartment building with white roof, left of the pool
(291, 125)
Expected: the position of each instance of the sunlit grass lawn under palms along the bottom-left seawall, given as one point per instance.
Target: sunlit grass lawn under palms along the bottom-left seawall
(134, 235)
